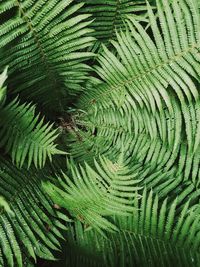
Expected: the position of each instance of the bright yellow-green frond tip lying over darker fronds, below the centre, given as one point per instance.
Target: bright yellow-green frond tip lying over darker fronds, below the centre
(90, 195)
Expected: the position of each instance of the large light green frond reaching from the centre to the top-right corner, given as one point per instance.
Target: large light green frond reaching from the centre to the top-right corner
(146, 68)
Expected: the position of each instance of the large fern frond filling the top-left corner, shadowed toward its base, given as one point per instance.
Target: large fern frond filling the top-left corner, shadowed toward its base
(43, 42)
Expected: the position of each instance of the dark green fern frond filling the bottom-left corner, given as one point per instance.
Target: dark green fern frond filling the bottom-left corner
(28, 224)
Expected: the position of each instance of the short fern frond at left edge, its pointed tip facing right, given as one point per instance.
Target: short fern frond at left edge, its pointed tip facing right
(25, 136)
